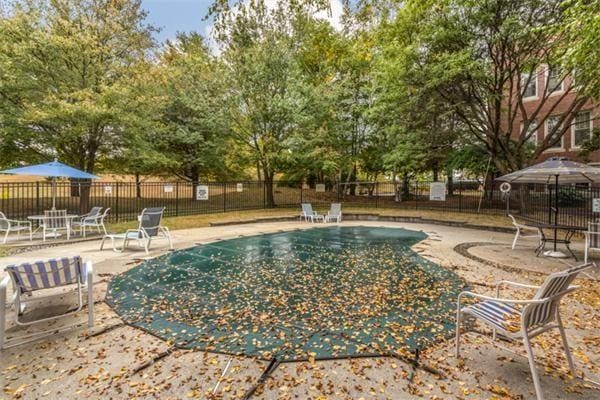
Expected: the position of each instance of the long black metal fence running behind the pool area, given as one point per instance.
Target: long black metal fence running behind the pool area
(127, 199)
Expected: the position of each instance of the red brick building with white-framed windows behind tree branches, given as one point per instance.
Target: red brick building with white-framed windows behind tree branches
(557, 103)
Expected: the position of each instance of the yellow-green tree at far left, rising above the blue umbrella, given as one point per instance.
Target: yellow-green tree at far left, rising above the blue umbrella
(65, 73)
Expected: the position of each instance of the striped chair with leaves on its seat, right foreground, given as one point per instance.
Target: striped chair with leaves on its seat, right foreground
(524, 319)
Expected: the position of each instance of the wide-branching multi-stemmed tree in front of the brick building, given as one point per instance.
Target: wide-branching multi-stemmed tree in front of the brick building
(480, 57)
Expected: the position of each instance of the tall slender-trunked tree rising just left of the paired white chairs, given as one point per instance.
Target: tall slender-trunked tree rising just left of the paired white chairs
(264, 81)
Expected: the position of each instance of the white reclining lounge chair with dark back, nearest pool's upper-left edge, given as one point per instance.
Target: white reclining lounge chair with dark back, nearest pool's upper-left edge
(149, 229)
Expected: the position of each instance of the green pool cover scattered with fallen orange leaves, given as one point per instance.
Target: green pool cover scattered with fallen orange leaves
(307, 294)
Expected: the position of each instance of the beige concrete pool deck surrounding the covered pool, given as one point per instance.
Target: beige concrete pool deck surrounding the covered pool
(113, 360)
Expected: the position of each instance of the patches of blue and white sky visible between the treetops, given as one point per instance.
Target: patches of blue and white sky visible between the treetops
(173, 16)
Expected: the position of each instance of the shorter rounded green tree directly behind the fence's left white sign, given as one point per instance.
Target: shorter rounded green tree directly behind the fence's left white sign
(196, 136)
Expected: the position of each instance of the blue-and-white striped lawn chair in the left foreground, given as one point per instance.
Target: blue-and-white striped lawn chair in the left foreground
(28, 278)
